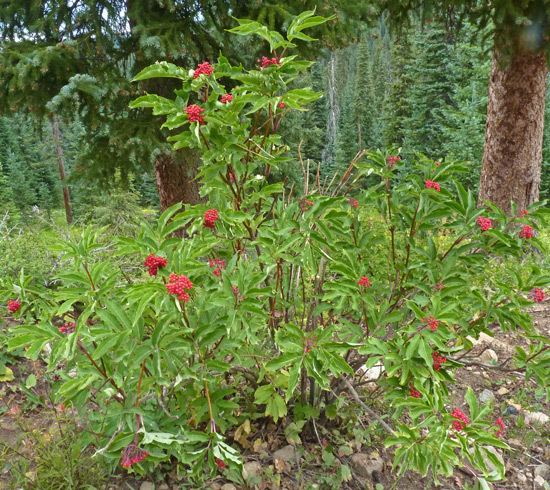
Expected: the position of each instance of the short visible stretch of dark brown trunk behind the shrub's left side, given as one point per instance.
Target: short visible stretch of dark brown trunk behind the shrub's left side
(176, 178)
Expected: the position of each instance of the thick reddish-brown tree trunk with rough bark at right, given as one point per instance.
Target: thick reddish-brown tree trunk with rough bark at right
(512, 157)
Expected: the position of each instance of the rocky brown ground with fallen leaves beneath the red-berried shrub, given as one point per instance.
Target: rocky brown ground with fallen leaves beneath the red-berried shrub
(28, 423)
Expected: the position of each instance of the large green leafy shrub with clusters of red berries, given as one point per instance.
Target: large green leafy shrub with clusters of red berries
(269, 300)
